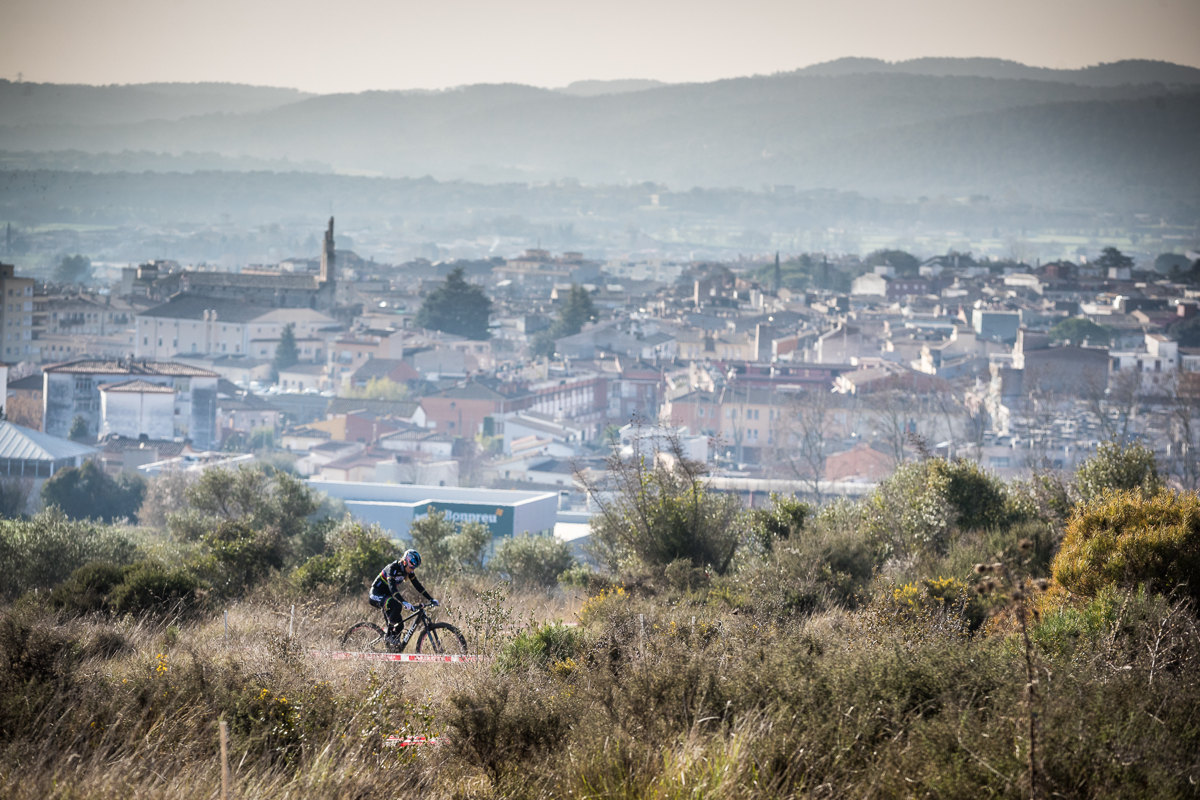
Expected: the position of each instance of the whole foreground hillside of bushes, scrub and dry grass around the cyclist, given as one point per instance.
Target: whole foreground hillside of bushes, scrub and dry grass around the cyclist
(949, 636)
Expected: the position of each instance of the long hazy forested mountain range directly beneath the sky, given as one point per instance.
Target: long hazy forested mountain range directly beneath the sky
(878, 130)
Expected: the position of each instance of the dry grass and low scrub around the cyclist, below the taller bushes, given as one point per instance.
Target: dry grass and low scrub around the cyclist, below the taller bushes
(652, 695)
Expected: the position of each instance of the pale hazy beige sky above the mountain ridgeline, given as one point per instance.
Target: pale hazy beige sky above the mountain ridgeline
(361, 45)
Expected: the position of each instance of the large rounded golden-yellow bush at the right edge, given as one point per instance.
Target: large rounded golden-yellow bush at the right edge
(1125, 539)
